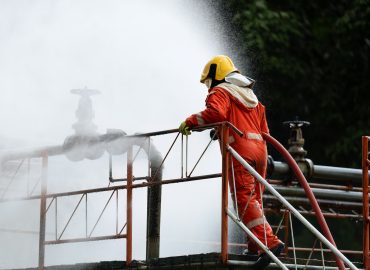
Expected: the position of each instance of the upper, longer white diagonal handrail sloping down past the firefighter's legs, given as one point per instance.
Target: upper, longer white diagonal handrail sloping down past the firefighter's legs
(291, 208)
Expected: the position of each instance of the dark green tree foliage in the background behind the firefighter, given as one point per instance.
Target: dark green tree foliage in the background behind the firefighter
(311, 60)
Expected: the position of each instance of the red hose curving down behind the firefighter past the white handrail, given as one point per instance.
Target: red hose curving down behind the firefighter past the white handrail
(302, 180)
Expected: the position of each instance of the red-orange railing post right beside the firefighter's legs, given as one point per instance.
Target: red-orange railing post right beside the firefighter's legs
(225, 182)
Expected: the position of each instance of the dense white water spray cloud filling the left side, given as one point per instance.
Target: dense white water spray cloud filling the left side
(145, 57)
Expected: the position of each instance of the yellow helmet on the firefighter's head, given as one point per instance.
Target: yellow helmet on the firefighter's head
(218, 68)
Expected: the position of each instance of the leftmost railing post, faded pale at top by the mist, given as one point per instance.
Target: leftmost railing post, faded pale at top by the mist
(43, 211)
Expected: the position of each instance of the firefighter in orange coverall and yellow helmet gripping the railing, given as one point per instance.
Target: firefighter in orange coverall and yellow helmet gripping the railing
(231, 98)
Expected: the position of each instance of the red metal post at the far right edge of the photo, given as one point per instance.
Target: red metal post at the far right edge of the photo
(365, 200)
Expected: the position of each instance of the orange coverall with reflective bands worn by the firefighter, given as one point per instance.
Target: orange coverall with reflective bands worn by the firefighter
(223, 106)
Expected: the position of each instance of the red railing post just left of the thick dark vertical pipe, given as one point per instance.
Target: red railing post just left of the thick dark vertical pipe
(129, 207)
